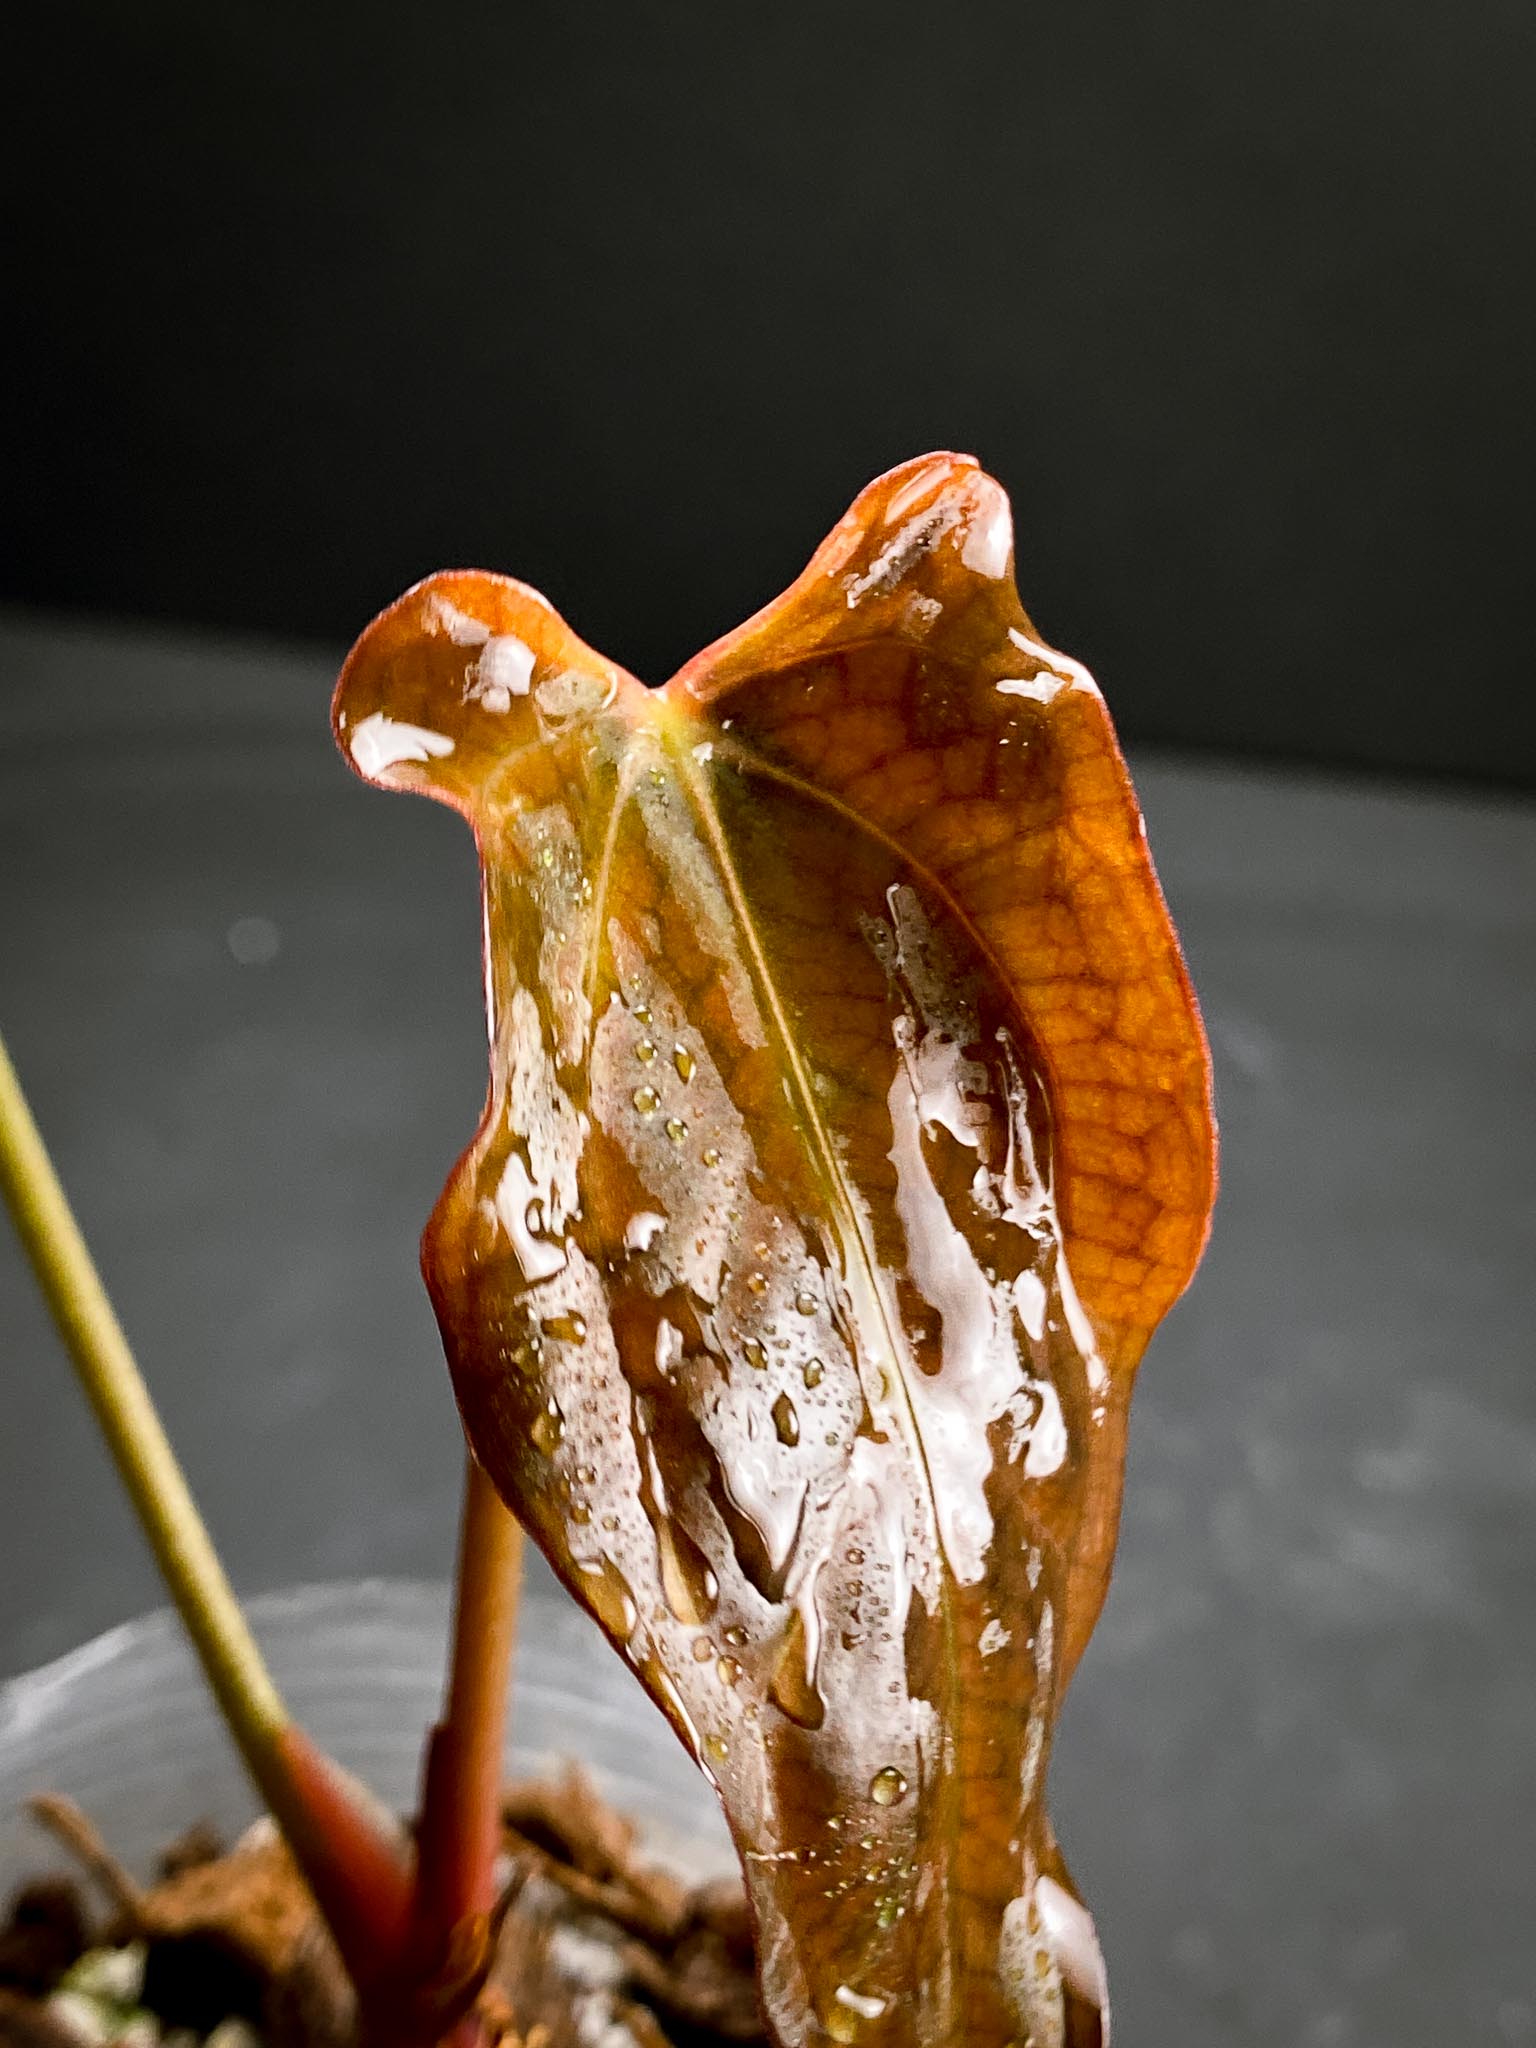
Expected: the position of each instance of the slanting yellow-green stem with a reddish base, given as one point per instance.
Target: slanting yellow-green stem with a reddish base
(341, 1850)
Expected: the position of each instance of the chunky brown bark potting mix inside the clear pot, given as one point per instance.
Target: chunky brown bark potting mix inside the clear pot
(597, 1949)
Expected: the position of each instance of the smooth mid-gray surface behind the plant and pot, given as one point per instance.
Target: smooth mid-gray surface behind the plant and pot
(1297, 1773)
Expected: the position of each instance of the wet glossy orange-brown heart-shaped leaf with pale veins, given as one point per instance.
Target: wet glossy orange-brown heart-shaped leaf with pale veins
(849, 1134)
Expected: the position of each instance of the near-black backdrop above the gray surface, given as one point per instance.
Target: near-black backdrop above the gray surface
(632, 298)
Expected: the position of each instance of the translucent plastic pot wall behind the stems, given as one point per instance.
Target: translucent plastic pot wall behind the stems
(126, 1725)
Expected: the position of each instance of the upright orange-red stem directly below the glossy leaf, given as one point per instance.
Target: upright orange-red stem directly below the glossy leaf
(462, 1795)
